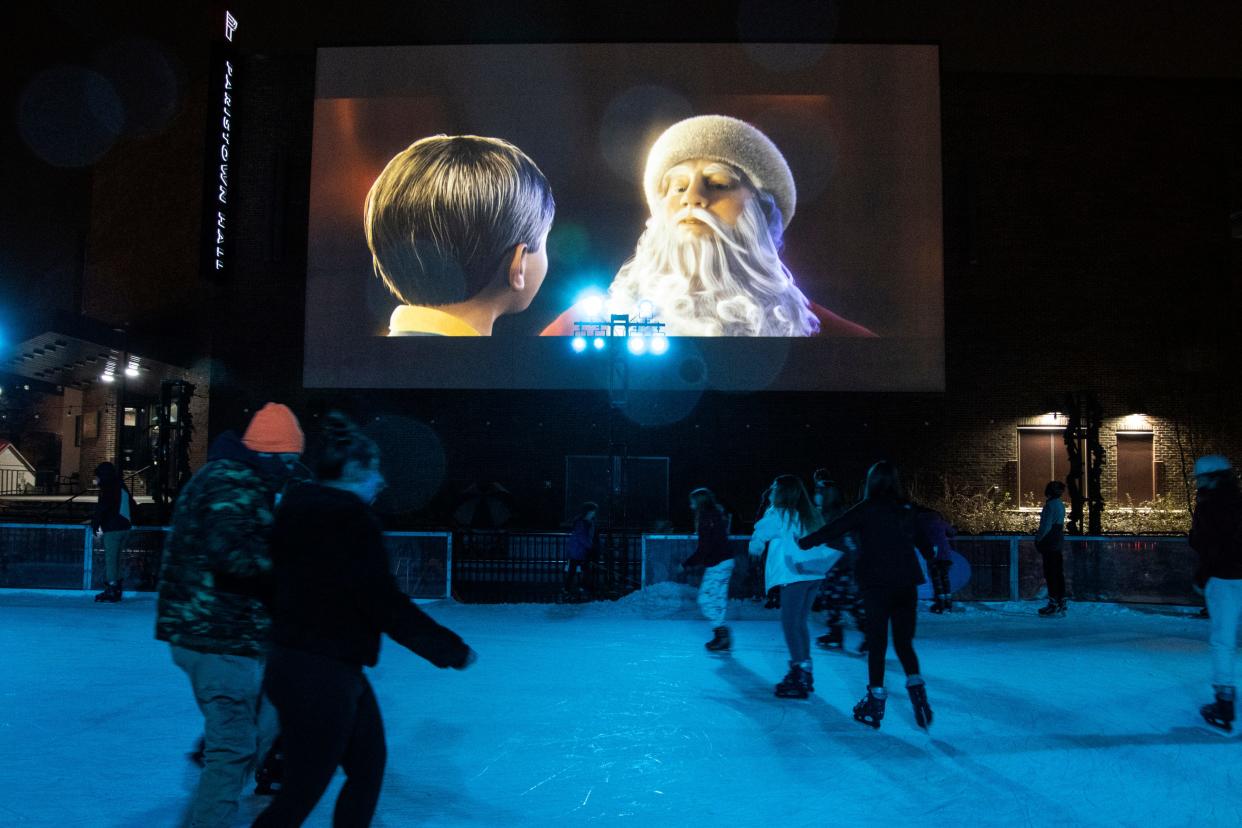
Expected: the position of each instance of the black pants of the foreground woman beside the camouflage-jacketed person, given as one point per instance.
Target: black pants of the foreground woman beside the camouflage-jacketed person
(329, 719)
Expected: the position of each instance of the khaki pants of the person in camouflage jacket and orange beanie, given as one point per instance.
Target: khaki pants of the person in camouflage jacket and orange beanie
(239, 727)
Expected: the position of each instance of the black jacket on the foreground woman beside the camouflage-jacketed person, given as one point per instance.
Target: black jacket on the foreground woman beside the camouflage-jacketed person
(335, 589)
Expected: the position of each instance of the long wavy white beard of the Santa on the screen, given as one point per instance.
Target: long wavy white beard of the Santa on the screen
(728, 282)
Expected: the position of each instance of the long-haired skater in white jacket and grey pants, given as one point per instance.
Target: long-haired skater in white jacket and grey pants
(797, 572)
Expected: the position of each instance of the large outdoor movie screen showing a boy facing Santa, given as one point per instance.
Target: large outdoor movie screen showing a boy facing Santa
(745, 217)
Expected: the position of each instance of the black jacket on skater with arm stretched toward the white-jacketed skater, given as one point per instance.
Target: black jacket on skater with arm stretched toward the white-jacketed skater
(889, 539)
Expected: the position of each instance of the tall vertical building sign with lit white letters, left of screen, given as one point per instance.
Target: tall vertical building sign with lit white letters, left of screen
(219, 171)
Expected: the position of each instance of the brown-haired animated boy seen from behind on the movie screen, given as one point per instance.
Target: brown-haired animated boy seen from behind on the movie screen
(458, 227)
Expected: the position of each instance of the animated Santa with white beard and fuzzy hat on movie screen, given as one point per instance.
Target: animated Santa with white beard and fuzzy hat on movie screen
(721, 197)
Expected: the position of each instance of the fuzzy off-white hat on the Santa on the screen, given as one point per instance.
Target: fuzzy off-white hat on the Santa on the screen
(733, 142)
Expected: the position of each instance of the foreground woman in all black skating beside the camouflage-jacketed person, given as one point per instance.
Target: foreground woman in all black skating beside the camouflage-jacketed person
(335, 598)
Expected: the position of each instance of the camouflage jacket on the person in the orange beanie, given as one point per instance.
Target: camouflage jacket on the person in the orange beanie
(217, 573)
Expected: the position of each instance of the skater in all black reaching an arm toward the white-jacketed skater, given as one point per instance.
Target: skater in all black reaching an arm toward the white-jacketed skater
(889, 575)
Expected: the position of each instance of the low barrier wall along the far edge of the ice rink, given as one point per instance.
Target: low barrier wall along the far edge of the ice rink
(497, 567)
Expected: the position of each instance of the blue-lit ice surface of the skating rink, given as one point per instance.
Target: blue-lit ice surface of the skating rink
(615, 714)
